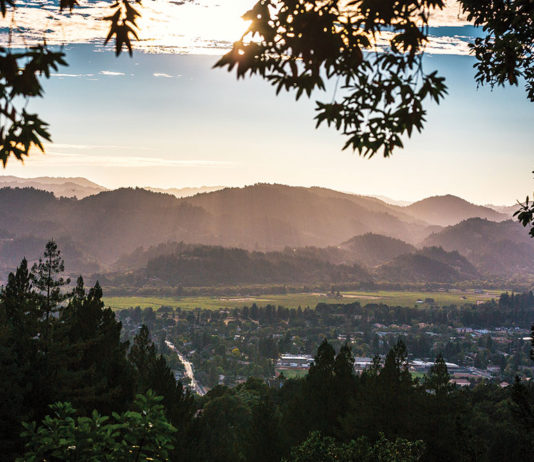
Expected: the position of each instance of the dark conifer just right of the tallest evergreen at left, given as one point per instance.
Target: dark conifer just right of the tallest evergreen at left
(88, 356)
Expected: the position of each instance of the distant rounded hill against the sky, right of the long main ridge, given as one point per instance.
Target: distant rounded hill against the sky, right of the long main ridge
(450, 210)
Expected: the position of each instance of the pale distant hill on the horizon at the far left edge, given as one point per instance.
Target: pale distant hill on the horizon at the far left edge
(60, 187)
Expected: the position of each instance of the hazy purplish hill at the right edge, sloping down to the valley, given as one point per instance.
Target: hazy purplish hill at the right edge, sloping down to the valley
(494, 248)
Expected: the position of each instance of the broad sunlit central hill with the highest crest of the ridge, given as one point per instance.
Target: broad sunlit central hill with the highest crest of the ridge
(268, 217)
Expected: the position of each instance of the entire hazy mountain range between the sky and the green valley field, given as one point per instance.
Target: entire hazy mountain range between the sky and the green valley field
(439, 239)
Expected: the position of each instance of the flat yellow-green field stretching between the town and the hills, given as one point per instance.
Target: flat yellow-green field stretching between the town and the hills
(393, 298)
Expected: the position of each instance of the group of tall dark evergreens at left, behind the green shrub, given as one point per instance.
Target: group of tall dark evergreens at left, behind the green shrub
(59, 346)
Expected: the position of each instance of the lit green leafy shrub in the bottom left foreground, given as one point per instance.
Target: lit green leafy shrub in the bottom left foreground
(140, 435)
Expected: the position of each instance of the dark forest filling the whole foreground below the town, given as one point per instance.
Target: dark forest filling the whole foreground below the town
(67, 368)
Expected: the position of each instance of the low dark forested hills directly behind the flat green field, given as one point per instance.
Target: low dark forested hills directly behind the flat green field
(179, 264)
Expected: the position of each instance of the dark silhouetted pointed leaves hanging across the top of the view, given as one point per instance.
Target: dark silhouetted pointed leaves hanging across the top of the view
(374, 49)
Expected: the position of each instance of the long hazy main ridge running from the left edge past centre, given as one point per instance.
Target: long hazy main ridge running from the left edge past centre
(264, 217)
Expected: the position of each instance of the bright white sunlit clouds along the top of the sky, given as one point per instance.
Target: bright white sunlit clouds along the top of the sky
(181, 26)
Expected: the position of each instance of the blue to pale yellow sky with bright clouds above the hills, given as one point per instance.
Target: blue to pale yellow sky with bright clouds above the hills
(165, 118)
